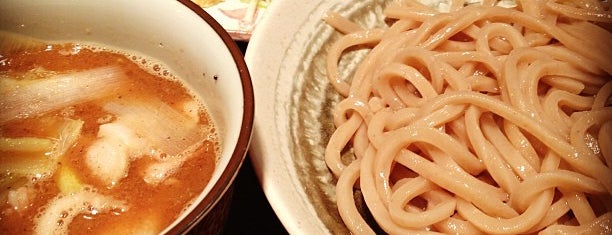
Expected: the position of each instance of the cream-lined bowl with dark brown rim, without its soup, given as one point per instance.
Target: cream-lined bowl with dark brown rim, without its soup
(185, 38)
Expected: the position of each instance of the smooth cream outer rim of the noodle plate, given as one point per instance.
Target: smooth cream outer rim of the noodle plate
(266, 49)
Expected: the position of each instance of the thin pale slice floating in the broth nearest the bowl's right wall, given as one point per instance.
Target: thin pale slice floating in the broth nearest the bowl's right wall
(173, 135)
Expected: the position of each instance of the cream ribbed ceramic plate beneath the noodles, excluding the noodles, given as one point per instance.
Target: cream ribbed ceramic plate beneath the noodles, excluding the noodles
(294, 103)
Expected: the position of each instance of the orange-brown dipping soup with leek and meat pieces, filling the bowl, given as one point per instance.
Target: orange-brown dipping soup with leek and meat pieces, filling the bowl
(97, 141)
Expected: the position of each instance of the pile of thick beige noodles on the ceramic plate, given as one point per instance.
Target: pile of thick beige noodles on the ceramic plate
(478, 119)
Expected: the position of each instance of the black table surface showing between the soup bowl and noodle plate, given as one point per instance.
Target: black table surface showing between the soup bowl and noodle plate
(250, 212)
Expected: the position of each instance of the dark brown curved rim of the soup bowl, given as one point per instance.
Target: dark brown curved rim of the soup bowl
(239, 153)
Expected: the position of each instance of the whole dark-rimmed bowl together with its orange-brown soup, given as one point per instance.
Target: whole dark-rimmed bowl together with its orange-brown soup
(118, 117)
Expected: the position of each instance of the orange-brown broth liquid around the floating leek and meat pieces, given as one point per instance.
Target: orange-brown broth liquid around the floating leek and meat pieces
(149, 205)
